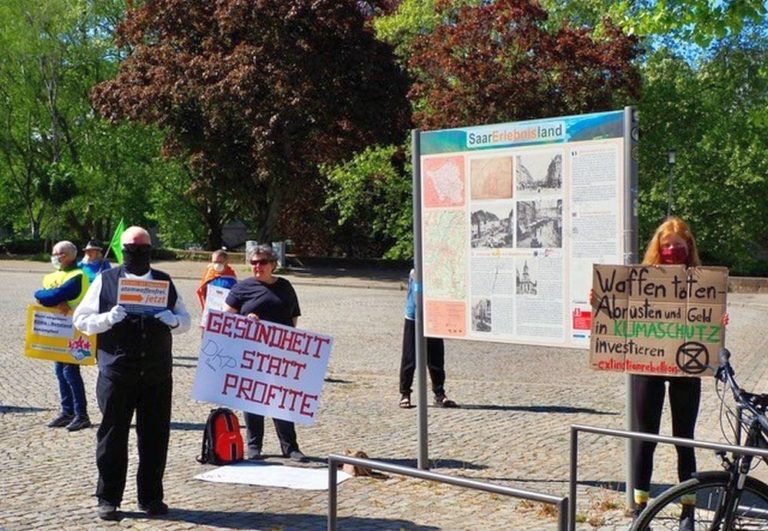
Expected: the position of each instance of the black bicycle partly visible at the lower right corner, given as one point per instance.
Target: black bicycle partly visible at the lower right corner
(724, 500)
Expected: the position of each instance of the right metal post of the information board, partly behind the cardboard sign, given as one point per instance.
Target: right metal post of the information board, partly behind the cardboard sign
(631, 144)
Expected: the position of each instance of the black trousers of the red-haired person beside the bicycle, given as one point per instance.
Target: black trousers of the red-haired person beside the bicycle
(684, 398)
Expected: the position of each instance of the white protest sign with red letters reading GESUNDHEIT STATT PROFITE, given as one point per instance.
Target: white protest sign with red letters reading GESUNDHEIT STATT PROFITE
(261, 367)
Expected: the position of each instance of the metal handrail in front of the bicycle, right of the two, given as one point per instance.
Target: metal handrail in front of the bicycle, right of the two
(635, 435)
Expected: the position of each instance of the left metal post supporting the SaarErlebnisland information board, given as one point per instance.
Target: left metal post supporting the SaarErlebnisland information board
(421, 348)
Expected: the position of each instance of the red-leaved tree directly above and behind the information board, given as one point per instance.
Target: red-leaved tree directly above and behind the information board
(498, 62)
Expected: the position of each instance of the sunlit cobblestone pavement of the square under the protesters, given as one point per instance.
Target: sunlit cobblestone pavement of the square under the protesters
(518, 403)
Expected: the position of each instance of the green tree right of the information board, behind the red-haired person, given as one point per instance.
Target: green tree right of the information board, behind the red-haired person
(714, 115)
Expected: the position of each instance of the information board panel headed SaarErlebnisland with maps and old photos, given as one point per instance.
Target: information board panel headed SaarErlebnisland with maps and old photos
(513, 218)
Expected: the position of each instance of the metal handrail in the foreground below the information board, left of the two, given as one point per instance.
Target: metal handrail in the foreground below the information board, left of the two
(334, 460)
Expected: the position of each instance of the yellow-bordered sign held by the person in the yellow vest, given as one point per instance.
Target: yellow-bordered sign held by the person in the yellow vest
(50, 335)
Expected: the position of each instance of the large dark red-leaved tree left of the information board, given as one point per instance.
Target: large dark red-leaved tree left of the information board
(253, 94)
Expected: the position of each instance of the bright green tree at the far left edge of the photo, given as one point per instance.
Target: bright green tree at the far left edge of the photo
(36, 139)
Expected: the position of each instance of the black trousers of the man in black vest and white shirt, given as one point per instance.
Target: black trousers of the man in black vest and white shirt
(117, 402)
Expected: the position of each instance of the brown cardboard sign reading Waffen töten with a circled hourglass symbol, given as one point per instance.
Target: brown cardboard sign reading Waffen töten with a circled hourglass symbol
(659, 320)
